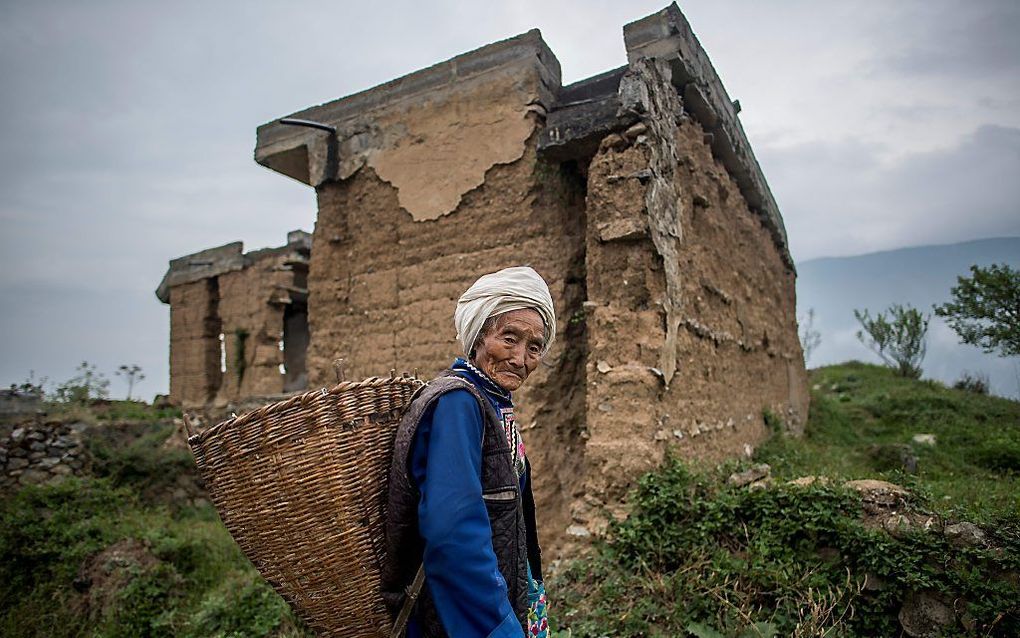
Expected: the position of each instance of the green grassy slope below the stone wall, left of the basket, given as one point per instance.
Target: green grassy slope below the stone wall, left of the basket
(87, 559)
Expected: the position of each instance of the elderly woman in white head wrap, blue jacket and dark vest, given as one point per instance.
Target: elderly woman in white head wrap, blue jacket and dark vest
(461, 487)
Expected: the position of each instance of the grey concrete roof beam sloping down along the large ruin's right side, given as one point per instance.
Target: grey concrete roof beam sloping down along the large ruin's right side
(668, 35)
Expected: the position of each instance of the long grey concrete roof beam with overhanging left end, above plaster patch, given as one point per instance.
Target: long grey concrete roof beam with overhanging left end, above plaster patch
(304, 155)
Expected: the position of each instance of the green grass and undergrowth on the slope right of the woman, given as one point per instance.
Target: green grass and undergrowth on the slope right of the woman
(700, 558)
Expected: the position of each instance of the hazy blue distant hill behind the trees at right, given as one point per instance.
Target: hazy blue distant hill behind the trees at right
(921, 276)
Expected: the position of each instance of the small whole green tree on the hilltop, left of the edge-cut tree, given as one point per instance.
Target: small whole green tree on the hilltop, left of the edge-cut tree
(898, 336)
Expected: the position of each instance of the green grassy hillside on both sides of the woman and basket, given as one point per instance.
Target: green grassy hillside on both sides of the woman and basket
(776, 546)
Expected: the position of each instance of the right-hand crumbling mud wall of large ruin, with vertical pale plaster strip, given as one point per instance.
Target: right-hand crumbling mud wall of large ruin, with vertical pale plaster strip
(691, 312)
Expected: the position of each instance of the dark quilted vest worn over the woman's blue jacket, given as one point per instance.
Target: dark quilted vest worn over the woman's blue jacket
(512, 515)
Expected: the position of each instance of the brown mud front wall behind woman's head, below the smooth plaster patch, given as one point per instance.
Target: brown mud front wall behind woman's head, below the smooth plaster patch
(384, 288)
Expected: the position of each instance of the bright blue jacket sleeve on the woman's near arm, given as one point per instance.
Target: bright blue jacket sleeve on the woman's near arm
(462, 572)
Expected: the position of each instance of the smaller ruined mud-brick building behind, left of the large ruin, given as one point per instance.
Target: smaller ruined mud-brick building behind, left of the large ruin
(239, 323)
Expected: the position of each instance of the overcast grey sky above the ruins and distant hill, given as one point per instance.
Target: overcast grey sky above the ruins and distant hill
(128, 130)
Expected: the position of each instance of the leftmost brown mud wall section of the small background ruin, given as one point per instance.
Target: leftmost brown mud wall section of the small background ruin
(195, 329)
